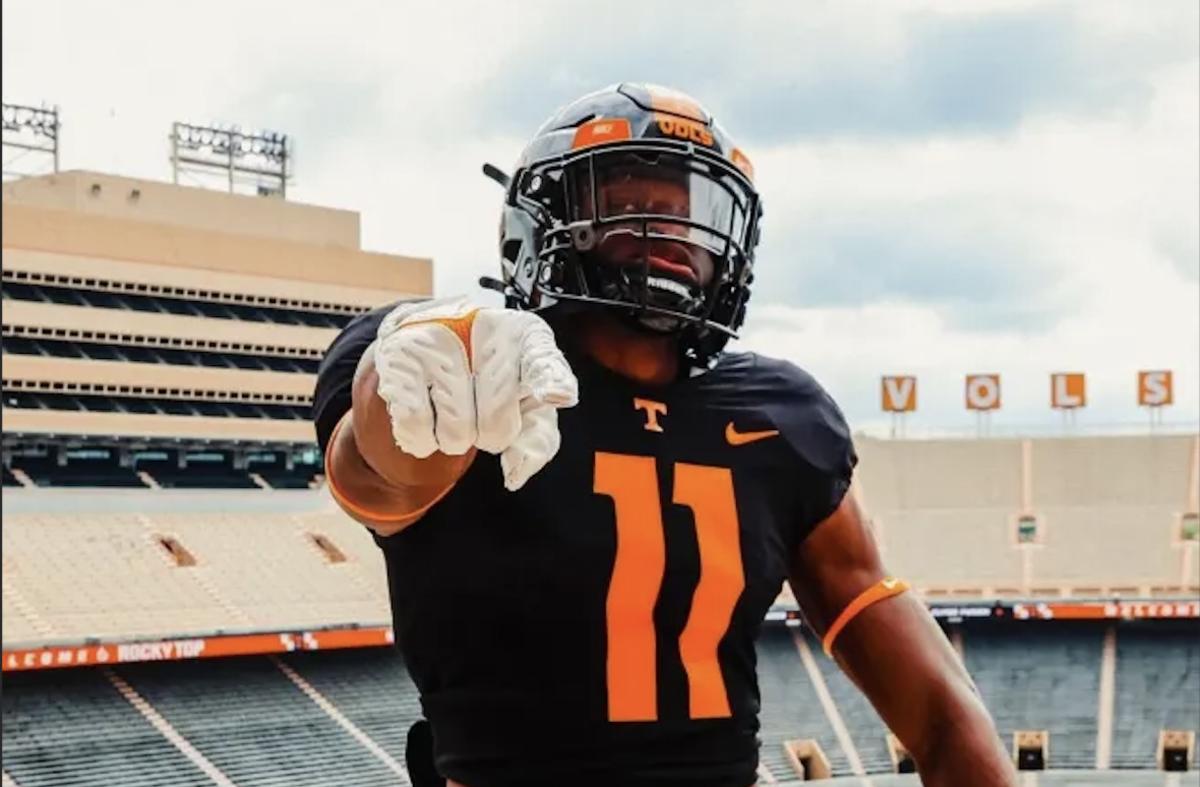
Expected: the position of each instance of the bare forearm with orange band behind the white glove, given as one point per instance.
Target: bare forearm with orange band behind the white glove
(373, 479)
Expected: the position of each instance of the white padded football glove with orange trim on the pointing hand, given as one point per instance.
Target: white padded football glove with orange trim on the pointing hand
(457, 376)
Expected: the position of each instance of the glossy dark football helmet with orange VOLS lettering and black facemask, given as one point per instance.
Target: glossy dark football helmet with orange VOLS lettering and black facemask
(634, 200)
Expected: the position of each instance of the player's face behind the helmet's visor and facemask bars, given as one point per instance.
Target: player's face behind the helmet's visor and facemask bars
(641, 189)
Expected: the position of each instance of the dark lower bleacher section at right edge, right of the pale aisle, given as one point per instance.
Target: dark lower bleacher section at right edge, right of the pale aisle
(1157, 687)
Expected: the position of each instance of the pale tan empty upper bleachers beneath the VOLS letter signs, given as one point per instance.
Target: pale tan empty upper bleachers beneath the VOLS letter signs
(1107, 508)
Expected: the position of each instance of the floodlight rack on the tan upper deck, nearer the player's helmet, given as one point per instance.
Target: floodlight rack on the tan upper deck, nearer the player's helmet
(261, 158)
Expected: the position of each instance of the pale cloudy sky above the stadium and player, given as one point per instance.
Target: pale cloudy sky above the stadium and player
(950, 187)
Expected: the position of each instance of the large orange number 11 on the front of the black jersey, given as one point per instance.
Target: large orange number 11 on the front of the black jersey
(632, 482)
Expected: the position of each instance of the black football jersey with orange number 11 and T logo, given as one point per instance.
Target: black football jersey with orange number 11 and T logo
(598, 626)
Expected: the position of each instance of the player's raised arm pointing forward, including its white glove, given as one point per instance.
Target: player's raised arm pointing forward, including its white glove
(442, 380)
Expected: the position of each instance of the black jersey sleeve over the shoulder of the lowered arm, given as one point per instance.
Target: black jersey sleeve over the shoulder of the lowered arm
(819, 438)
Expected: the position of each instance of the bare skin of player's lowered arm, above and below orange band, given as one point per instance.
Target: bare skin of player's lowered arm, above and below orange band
(898, 657)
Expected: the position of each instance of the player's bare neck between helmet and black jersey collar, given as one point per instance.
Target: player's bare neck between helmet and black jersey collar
(643, 358)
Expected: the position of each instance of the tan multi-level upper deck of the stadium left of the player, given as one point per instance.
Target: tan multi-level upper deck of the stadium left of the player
(142, 315)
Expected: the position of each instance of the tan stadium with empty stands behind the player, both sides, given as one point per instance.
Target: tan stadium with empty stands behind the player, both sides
(185, 605)
